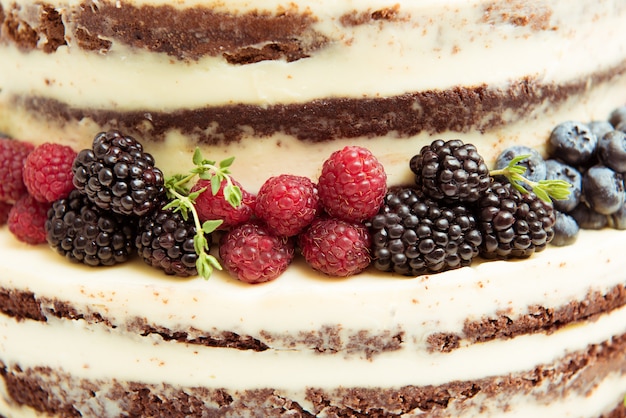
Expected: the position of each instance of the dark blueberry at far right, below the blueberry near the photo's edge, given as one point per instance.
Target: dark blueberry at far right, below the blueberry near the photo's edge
(603, 189)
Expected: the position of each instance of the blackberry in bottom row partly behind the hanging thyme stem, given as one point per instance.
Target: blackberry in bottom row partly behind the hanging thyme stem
(166, 241)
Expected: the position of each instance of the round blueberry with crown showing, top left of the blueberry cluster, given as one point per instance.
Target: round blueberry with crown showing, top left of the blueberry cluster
(573, 143)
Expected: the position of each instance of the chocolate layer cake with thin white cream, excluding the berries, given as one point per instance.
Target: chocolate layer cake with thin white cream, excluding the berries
(281, 86)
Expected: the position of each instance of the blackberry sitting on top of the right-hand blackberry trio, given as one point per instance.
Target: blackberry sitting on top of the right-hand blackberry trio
(451, 171)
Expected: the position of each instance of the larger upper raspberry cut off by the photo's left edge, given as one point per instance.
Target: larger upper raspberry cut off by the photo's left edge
(12, 156)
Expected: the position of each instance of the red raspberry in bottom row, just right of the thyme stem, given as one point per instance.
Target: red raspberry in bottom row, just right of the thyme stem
(253, 255)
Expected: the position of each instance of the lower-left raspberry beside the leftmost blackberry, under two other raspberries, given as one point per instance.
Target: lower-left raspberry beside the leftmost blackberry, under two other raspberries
(27, 220)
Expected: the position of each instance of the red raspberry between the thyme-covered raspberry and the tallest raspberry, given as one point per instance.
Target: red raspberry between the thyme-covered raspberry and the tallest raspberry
(287, 204)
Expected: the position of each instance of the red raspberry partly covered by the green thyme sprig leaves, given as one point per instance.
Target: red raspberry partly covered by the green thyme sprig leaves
(216, 207)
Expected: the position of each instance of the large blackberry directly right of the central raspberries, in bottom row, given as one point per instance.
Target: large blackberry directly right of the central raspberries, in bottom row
(413, 235)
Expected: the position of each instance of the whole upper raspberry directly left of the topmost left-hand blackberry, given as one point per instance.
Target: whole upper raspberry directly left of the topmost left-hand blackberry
(48, 172)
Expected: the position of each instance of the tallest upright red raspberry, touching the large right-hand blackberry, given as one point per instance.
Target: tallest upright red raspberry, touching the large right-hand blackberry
(352, 185)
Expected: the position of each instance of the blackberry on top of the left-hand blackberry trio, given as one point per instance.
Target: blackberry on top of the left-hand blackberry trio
(117, 175)
